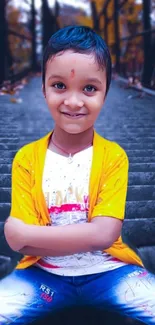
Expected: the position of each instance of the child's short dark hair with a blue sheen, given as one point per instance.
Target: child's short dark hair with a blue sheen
(80, 39)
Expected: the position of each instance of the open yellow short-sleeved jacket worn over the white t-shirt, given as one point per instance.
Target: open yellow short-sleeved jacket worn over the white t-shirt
(107, 189)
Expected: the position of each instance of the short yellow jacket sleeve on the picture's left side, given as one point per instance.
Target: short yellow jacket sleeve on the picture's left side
(22, 203)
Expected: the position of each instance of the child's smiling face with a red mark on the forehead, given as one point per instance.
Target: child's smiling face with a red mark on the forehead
(75, 90)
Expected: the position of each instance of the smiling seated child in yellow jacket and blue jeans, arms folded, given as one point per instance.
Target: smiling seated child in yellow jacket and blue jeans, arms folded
(68, 199)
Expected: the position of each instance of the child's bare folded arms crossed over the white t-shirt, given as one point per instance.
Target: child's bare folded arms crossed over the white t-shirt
(99, 234)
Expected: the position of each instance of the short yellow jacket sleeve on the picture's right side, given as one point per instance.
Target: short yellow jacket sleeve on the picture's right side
(111, 199)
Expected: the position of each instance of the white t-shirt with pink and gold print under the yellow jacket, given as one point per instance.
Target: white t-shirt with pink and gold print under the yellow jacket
(66, 188)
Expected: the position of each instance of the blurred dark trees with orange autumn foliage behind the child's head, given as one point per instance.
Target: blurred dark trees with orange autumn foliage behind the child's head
(128, 26)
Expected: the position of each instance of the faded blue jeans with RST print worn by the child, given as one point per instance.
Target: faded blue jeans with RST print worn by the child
(27, 295)
